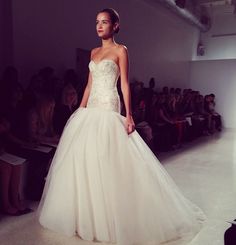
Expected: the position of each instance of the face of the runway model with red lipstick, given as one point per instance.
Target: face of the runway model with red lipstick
(104, 26)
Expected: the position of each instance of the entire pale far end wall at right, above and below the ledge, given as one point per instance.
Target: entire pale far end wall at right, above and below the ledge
(215, 71)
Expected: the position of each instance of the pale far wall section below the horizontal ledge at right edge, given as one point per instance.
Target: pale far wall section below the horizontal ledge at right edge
(218, 77)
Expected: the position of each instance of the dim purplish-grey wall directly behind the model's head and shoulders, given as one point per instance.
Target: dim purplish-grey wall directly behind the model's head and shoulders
(48, 33)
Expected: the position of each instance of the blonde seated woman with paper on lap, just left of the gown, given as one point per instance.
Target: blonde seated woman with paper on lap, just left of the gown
(40, 132)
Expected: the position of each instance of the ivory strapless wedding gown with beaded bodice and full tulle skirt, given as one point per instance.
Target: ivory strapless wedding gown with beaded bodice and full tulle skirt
(105, 185)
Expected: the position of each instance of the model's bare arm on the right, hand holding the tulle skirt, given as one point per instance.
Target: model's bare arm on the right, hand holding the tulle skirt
(125, 88)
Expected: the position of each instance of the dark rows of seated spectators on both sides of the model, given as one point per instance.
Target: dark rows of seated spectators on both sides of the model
(174, 113)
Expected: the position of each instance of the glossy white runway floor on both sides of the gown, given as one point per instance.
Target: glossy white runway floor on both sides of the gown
(205, 170)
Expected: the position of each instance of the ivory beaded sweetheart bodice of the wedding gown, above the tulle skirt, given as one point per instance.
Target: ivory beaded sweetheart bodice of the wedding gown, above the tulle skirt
(104, 92)
